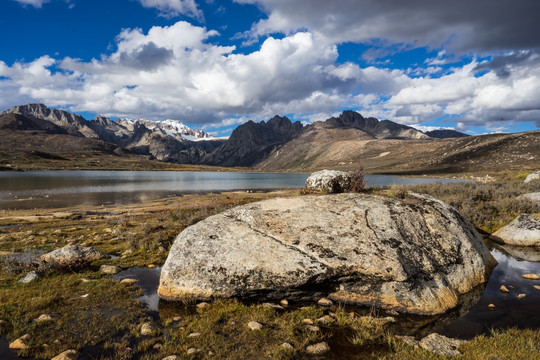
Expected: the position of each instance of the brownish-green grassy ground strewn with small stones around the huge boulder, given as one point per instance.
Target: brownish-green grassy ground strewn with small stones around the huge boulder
(80, 307)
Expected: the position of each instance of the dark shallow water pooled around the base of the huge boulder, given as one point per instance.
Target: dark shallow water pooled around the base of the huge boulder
(471, 318)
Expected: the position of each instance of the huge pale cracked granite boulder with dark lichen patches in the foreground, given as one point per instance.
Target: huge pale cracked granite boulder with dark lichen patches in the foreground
(416, 255)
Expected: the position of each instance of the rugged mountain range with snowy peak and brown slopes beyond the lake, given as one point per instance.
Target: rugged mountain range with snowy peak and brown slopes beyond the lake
(274, 145)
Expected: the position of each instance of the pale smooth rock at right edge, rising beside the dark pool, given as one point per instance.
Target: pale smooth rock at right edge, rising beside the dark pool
(523, 231)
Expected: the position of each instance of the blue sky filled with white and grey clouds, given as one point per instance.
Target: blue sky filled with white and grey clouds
(469, 66)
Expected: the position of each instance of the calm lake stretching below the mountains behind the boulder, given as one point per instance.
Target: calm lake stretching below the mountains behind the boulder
(54, 189)
